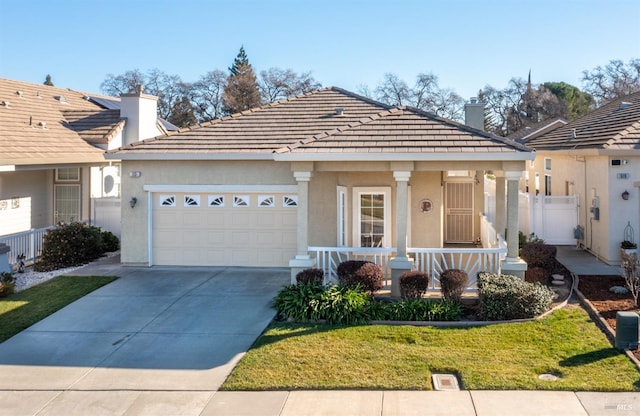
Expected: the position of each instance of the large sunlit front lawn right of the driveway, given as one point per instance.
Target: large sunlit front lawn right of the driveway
(503, 356)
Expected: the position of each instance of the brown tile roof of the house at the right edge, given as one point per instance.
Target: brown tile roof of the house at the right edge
(615, 126)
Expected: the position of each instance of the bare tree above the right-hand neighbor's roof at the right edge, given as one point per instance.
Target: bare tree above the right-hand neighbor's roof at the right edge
(615, 80)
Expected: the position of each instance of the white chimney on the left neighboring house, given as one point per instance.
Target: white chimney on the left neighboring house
(141, 113)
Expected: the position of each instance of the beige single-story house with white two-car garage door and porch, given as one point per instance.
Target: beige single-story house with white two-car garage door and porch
(326, 172)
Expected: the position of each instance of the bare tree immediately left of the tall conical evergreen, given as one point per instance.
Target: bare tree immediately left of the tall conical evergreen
(206, 95)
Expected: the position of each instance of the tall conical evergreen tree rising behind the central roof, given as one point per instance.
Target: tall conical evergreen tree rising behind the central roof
(241, 91)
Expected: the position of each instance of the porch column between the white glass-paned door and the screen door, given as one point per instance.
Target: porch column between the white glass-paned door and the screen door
(401, 262)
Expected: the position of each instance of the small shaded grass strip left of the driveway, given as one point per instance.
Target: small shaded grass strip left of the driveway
(23, 309)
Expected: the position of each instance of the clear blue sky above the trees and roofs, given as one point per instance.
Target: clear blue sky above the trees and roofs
(466, 43)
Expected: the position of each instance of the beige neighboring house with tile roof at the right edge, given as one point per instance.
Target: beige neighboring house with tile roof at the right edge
(596, 158)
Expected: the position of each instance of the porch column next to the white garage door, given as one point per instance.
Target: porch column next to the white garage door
(302, 260)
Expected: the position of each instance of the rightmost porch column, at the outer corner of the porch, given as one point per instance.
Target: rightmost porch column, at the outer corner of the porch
(513, 264)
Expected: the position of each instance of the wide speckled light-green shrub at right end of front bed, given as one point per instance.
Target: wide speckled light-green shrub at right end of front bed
(504, 297)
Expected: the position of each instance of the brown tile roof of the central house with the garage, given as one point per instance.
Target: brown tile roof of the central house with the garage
(320, 123)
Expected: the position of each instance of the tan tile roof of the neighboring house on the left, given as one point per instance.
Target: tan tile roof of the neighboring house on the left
(40, 124)
